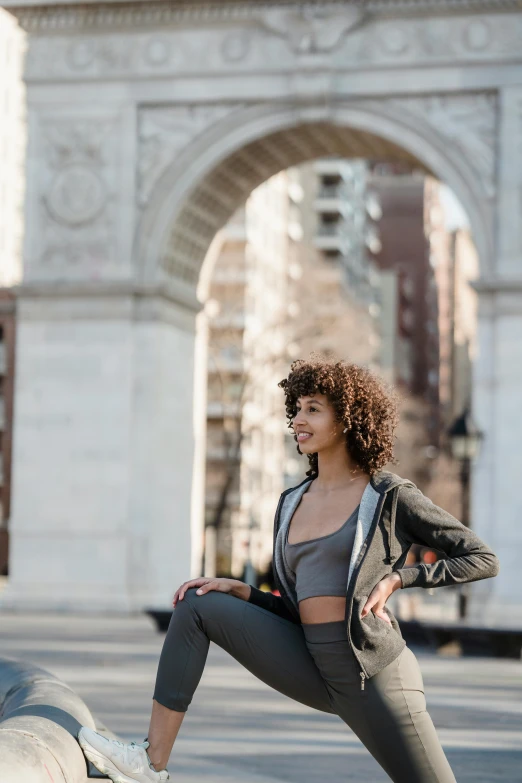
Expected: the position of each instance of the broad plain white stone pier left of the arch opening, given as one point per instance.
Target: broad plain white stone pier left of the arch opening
(103, 450)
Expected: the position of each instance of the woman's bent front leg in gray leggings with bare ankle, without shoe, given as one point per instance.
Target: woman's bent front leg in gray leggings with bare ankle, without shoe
(270, 647)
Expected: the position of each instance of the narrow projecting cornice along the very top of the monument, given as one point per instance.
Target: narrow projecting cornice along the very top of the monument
(35, 16)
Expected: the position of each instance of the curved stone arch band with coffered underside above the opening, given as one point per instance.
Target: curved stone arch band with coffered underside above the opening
(217, 171)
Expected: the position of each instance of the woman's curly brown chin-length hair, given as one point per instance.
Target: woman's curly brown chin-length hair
(361, 401)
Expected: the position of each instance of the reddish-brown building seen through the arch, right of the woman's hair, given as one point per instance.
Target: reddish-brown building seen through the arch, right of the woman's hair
(410, 349)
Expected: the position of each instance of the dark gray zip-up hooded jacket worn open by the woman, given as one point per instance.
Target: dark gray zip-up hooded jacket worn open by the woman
(393, 514)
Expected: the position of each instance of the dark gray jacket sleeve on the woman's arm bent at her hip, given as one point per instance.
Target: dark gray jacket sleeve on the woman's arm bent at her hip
(420, 521)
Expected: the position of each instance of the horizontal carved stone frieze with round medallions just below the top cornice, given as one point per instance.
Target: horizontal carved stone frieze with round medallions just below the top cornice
(276, 39)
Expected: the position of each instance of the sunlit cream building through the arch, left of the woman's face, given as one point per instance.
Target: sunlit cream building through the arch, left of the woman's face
(247, 348)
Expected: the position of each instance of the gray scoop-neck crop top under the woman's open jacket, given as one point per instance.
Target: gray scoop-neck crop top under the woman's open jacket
(320, 565)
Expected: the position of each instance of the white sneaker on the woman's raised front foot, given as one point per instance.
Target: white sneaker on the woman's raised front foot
(121, 762)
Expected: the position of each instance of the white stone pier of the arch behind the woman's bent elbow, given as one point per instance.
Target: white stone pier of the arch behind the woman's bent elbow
(498, 382)
